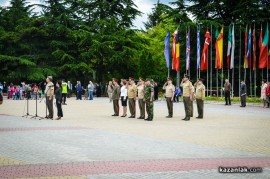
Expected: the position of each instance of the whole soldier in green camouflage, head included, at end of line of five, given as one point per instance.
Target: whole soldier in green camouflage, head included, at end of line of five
(148, 96)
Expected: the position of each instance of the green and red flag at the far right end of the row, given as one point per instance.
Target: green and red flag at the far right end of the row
(264, 50)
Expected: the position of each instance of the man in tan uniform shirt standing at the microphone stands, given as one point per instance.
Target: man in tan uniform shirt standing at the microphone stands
(49, 91)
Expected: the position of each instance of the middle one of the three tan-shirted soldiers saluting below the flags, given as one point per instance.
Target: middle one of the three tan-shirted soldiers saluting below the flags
(187, 96)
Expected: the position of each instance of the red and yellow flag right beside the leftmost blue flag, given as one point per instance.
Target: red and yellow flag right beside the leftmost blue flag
(176, 51)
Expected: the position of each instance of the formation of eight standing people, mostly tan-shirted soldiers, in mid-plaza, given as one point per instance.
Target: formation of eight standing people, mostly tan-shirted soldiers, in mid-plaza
(144, 92)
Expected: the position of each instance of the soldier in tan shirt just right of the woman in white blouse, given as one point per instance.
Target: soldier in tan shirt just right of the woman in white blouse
(132, 91)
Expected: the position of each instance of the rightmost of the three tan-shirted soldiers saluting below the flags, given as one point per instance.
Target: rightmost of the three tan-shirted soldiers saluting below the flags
(200, 96)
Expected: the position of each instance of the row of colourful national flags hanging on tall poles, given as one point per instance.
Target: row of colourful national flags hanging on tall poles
(202, 60)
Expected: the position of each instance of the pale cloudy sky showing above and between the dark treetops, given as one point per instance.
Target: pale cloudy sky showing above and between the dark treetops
(144, 6)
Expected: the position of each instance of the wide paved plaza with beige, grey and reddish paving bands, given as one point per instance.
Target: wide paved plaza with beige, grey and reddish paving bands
(89, 143)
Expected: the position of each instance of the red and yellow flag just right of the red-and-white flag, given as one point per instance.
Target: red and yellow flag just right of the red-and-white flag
(219, 50)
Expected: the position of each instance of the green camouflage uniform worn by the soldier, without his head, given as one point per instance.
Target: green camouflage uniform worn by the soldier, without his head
(149, 104)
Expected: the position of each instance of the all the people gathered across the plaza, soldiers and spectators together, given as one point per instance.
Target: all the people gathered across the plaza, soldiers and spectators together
(128, 92)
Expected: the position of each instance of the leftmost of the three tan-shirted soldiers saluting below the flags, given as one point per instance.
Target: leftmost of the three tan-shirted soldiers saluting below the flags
(170, 88)
